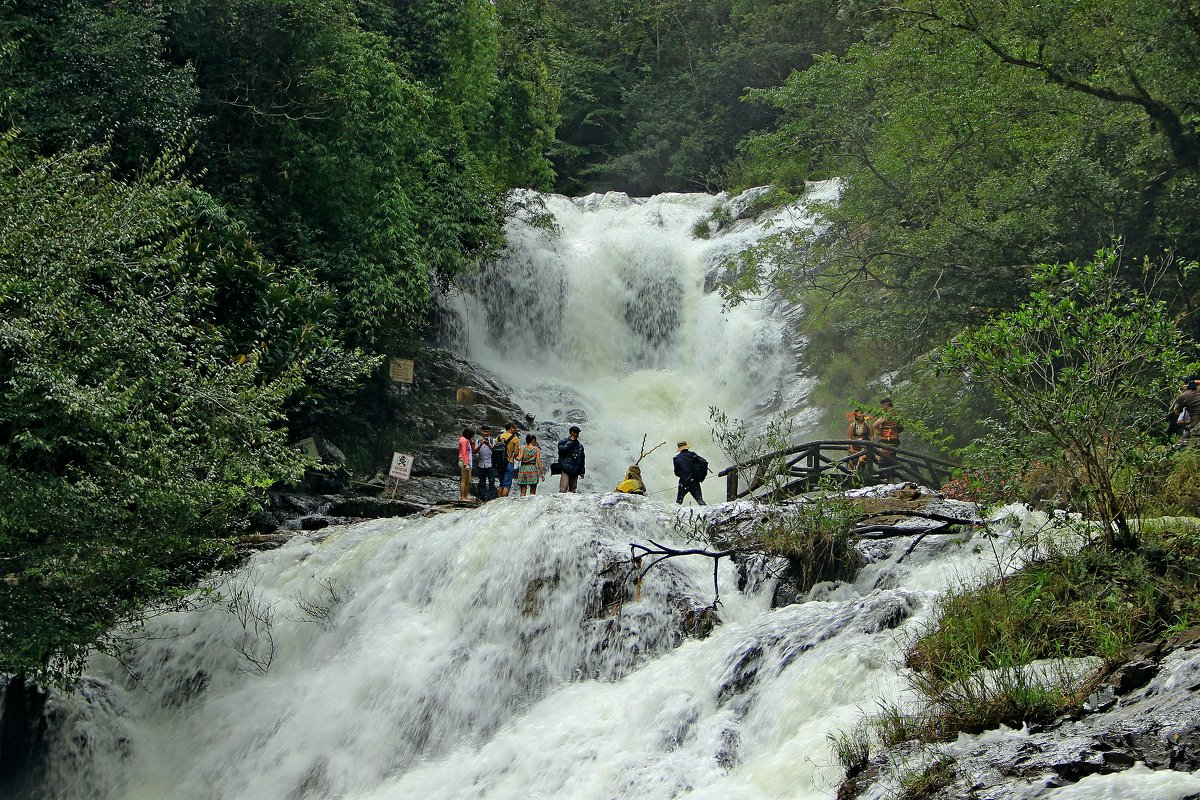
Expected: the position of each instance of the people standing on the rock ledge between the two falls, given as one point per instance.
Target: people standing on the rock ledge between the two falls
(503, 461)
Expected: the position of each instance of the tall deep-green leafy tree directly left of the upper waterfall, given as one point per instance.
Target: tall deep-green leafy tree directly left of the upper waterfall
(335, 159)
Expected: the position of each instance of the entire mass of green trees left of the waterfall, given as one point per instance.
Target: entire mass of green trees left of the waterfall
(218, 215)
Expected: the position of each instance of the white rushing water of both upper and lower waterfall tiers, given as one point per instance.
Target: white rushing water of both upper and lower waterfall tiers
(503, 653)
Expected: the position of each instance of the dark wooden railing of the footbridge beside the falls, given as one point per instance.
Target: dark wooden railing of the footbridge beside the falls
(803, 467)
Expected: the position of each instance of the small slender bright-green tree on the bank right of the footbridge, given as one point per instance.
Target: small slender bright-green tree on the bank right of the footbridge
(1088, 365)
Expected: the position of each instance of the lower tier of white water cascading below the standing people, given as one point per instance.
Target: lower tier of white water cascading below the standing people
(479, 654)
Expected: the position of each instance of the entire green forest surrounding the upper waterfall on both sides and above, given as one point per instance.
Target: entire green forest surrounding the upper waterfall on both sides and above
(220, 215)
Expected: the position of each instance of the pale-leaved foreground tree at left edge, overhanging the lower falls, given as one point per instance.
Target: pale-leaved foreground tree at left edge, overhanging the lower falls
(140, 423)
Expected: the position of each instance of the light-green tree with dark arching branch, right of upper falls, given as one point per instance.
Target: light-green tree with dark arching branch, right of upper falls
(976, 141)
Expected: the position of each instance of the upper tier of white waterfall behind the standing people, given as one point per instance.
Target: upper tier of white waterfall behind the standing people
(607, 323)
